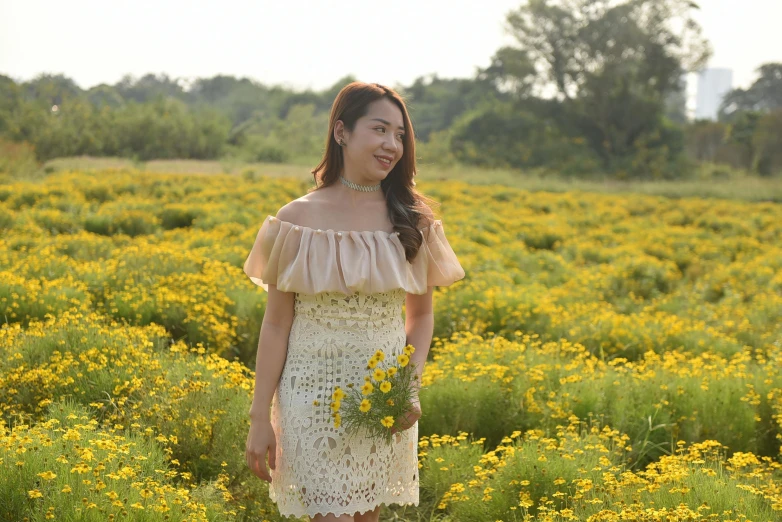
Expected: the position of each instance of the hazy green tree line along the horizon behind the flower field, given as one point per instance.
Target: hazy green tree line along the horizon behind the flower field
(589, 87)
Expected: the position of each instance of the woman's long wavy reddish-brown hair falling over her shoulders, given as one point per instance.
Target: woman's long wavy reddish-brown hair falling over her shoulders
(405, 204)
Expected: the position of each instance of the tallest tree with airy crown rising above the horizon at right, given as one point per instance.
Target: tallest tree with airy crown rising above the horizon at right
(609, 72)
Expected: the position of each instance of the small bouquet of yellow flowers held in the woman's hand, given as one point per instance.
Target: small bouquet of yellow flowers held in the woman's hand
(377, 405)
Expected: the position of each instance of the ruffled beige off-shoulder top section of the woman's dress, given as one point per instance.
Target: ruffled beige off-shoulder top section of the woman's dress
(308, 261)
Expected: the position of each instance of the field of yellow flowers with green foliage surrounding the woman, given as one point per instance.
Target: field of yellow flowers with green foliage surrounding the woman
(606, 357)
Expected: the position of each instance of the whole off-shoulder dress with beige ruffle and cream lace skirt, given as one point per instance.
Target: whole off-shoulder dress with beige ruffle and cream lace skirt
(350, 287)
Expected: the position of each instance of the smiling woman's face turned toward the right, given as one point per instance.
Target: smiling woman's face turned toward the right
(377, 136)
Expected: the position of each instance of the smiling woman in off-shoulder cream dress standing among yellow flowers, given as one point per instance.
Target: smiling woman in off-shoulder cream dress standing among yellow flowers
(338, 264)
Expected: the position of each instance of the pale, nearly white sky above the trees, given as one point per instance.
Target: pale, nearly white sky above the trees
(310, 43)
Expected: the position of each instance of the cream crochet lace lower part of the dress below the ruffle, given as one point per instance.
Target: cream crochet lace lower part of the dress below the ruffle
(320, 469)
